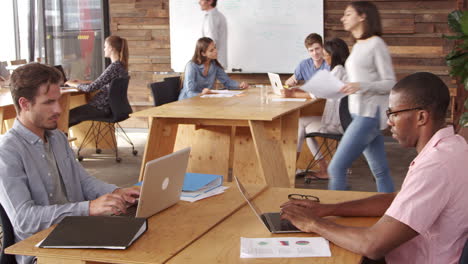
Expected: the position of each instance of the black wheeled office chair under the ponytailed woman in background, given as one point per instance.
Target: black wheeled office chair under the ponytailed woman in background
(100, 127)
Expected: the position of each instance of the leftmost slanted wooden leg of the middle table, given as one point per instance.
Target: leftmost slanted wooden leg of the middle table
(161, 140)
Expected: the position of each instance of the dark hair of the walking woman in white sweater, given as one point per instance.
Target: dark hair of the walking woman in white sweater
(372, 23)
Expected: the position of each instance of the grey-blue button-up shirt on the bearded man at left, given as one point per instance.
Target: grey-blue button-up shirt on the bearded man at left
(25, 184)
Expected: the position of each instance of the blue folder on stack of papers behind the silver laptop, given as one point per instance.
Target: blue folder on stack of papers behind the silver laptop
(199, 186)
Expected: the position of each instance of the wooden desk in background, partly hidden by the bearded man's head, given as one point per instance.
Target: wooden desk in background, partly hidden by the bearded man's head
(8, 111)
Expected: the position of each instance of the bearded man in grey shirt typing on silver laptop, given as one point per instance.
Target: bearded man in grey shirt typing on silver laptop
(41, 182)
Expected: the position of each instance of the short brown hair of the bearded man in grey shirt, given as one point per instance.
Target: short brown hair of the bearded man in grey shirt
(26, 80)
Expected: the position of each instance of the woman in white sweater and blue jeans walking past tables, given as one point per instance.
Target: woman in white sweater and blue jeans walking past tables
(371, 77)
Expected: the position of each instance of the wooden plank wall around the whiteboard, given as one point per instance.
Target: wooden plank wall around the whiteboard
(412, 29)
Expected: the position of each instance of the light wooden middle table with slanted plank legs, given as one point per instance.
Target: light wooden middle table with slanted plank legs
(257, 141)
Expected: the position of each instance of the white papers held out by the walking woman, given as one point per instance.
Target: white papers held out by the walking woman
(324, 85)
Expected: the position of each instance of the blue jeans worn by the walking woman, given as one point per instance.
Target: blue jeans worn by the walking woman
(363, 135)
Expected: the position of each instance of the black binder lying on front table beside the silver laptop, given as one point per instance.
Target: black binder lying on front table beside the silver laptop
(95, 232)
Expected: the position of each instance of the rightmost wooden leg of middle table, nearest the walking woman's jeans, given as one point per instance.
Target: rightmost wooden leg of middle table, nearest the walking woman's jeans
(289, 128)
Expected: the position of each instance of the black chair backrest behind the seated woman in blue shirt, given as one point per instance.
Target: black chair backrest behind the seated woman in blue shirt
(165, 92)
